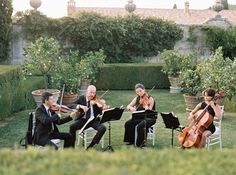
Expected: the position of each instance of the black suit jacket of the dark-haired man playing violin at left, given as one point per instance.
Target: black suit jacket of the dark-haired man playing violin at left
(44, 122)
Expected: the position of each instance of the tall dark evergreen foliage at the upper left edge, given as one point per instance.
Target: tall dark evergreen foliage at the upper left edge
(5, 28)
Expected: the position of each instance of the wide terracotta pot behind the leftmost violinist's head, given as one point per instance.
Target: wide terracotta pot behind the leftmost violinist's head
(37, 94)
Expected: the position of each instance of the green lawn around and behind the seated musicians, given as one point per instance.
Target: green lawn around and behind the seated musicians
(13, 130)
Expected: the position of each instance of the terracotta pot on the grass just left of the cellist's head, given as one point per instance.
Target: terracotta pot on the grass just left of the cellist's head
(192, 101)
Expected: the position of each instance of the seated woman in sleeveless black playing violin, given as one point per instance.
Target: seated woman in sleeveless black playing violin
(141, 102)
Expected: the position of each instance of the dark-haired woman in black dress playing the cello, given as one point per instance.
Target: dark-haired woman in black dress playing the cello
(213, 109)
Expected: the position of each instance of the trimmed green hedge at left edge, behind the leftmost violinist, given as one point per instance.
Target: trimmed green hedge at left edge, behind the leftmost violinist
(15, 93)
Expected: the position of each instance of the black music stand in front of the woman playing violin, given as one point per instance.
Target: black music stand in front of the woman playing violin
(143, 115)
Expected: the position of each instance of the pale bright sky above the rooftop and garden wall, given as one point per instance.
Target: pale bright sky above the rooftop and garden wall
(57, 8)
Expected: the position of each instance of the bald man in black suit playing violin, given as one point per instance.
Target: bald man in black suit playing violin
(89, 108)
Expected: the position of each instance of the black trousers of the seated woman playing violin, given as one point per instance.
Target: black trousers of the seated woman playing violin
(130, 130)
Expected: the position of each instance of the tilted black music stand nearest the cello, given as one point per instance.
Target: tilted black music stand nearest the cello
(171, 122)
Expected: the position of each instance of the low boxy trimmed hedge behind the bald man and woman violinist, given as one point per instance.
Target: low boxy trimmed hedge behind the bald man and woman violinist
(125, 76)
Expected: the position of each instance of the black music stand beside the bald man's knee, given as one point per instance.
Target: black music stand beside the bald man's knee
(108, 116)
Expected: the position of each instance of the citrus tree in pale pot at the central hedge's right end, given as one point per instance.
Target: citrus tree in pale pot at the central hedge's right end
(173, 64)
